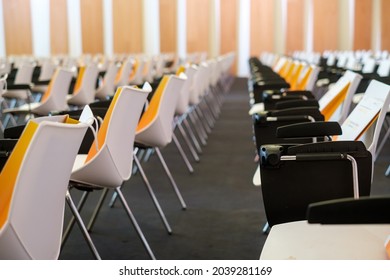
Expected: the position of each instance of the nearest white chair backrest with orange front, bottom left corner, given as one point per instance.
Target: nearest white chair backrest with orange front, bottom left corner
(34, 181)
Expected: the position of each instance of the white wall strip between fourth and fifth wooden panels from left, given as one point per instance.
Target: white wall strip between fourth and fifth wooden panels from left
(151, 30)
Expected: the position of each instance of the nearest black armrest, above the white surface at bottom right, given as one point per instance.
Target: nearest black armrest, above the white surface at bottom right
(365, 210)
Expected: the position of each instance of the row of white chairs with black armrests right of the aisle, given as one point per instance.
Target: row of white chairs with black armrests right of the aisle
(296, 159)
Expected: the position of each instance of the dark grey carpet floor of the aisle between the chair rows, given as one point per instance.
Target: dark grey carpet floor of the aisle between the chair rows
(224, 216)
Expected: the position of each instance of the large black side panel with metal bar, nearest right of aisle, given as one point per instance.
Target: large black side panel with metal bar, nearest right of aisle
(293, 176)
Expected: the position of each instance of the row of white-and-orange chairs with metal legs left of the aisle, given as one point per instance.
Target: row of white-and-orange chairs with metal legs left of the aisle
(129, 123)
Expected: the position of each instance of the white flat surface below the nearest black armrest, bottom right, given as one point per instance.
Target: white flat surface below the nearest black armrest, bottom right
(303, 241)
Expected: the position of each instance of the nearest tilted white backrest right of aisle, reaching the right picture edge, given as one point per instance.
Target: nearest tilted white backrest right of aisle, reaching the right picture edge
(373, 107)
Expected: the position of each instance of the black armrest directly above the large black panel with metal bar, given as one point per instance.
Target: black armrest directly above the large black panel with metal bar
(309, 130)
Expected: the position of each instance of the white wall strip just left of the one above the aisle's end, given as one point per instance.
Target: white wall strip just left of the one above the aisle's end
(215, 28)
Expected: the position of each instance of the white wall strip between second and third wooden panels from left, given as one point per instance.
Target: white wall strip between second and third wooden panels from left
(74, 28)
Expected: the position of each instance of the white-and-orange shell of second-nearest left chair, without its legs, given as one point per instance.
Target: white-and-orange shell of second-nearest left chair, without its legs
(111, 163)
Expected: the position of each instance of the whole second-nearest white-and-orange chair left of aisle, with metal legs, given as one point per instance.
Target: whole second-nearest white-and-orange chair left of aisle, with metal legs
(109, 160)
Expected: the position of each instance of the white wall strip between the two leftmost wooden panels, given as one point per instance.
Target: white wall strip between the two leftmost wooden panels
(40, 27)
